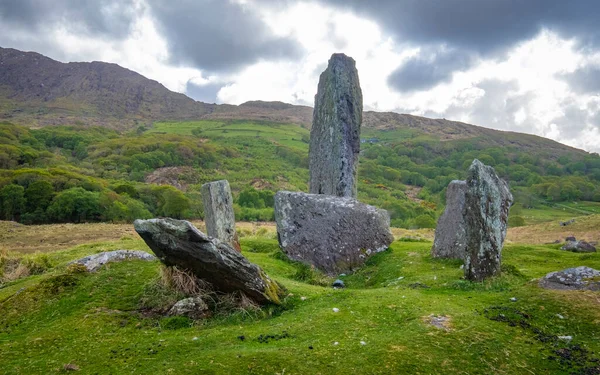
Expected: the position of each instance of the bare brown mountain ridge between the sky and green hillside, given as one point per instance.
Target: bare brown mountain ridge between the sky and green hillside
(38, 91)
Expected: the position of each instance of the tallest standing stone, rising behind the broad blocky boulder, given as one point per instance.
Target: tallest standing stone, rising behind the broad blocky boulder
(335, 132)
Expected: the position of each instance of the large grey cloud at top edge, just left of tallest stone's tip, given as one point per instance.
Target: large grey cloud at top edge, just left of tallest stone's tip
(218, 35)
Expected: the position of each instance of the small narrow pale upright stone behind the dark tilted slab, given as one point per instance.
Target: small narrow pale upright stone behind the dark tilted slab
(218, 212)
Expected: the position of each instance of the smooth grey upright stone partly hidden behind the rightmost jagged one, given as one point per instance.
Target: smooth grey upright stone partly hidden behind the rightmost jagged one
(450, 235)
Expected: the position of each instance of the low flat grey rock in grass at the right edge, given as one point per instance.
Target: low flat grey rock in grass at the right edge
(578, 278)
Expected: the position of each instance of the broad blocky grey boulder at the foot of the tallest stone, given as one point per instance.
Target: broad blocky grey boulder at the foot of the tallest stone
(333, 234)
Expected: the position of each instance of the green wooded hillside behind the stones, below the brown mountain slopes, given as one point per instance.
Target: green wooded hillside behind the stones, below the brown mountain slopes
(80, 174)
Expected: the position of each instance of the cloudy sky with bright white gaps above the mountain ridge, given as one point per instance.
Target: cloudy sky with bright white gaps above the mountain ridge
(527, 66)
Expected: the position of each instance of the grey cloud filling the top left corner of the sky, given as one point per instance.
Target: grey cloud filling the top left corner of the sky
(108, 18)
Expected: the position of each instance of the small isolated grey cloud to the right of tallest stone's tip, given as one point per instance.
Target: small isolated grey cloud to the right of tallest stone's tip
(428, 69)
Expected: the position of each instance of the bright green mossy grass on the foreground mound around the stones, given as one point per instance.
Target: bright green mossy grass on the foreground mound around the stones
(95, 324)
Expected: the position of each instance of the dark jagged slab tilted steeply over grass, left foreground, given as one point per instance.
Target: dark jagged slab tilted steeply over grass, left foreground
(179, 243)
